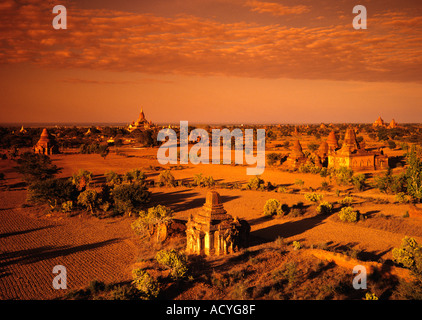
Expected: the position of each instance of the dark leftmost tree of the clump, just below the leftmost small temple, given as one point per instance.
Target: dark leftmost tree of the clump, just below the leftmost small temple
(36, 167)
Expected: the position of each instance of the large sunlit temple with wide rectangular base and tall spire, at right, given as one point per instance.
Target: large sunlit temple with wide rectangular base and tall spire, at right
(354, 155)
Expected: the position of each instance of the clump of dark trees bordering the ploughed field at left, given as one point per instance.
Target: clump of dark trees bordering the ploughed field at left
(121, 194)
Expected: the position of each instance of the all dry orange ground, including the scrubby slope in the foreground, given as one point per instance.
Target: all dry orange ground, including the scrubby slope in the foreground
(32, 243)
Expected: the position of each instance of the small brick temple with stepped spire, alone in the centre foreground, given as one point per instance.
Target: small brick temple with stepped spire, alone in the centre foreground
(214, 232)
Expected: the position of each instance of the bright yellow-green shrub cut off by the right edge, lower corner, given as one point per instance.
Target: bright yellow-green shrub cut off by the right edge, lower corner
(409, 255)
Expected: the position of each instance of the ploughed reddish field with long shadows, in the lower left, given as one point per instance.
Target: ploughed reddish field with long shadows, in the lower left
(30, 247)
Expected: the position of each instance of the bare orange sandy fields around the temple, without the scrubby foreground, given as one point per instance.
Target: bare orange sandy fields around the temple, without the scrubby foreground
(31, 244)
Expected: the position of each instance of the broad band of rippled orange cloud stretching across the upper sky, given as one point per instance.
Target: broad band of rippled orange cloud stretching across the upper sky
(389, 50)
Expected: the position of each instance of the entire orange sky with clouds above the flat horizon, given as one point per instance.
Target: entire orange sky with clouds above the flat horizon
(210, 61)
